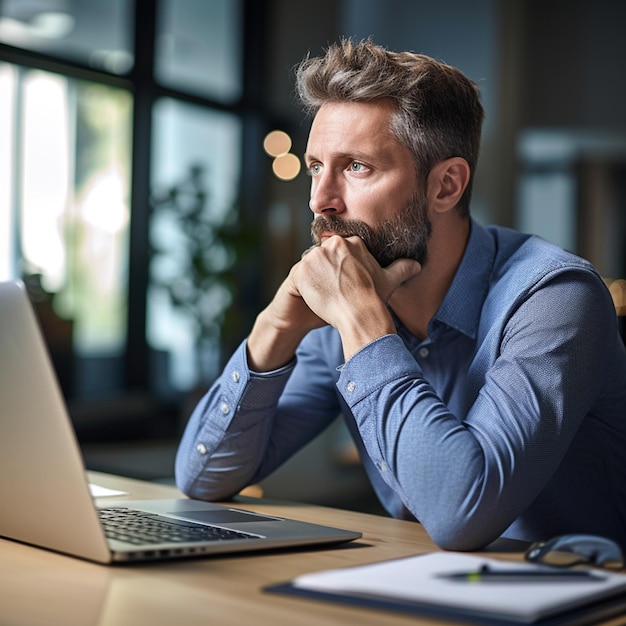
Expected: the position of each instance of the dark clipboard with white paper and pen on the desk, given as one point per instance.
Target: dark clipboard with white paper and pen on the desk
(437, 585)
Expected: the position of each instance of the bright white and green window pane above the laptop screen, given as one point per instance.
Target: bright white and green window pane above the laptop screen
(65, 207)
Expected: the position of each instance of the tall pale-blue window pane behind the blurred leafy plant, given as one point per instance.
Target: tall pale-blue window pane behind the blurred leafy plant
(196, 153)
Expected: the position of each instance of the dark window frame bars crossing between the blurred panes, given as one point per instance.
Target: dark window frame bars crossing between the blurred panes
(140, 82)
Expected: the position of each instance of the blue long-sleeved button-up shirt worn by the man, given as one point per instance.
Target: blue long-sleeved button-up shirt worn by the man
(508, 420)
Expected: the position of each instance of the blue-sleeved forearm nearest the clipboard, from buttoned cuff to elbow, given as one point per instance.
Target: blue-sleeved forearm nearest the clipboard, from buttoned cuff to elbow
(432, 461)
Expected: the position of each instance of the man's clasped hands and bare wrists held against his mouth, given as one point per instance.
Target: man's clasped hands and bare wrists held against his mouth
(337, 283)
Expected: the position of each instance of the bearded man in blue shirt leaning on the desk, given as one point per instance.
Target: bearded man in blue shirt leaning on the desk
(479, 370)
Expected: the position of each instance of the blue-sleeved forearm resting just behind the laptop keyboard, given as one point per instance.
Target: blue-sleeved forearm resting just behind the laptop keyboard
(248, 424)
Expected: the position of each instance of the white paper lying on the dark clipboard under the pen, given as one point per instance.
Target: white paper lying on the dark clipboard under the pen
(418, 579)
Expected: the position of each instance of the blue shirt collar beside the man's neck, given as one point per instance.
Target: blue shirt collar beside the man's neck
(463, 302)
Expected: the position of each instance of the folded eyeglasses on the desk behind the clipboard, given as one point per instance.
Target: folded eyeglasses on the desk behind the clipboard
(568, 550)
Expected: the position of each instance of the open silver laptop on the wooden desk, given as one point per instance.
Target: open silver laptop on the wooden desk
(44, 491)
